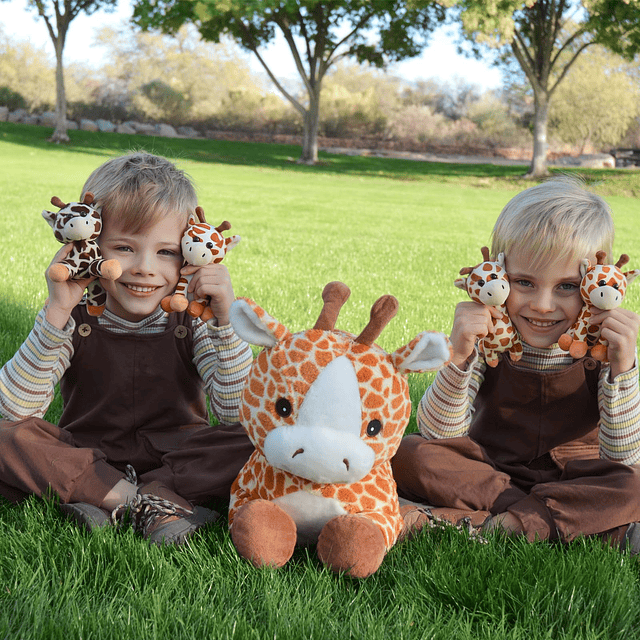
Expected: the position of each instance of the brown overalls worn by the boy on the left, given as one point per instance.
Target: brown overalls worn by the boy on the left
(128, 399)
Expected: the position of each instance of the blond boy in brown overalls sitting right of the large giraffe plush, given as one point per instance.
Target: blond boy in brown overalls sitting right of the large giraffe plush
(544, 447)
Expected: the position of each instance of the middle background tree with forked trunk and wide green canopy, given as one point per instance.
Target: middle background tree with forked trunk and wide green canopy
(318, 33)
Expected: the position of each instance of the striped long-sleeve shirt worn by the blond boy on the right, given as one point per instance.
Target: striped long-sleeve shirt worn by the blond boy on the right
(446, 409)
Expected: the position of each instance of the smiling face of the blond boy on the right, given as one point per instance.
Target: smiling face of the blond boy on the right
(545, 302)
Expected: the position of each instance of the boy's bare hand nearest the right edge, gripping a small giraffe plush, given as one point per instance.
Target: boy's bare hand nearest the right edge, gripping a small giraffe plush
(619, 327)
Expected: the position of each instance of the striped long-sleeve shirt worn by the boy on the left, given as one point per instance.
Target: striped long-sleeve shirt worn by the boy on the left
(28, 380)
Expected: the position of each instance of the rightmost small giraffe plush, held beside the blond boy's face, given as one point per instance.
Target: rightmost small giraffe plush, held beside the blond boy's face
(602, 287)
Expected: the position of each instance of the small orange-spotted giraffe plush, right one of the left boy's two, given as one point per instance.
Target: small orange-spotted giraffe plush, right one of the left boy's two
(202, 244)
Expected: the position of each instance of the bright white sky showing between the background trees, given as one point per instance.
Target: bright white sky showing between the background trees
(439, 60)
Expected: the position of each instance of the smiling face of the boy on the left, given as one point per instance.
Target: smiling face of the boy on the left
(151, 260)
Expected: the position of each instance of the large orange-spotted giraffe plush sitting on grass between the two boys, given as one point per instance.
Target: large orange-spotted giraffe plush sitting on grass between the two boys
(326, 411)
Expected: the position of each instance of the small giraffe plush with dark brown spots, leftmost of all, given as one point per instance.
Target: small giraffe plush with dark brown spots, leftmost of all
(80, 223)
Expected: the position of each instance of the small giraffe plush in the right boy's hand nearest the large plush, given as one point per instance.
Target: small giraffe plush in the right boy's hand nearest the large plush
(488, 284)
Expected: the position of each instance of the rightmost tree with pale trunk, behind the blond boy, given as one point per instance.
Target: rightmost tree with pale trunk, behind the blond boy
(545, 38)
